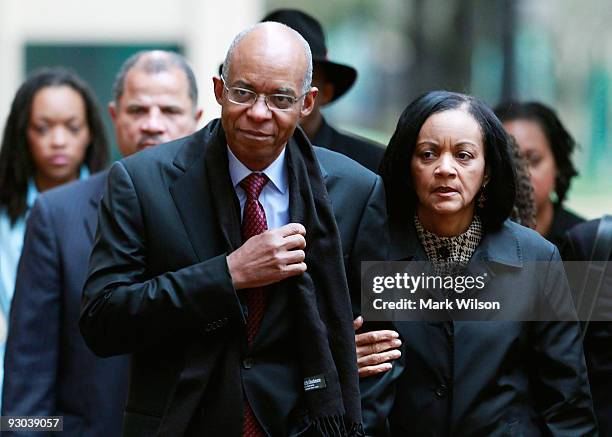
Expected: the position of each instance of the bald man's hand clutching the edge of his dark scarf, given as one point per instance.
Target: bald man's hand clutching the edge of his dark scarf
(269, 257)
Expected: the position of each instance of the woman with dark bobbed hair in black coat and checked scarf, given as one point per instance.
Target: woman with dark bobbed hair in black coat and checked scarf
(450, 190)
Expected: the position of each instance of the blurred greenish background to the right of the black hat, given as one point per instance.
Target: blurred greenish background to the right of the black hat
(556, 51)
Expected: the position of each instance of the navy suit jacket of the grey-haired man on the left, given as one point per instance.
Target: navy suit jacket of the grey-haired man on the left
(48, 368)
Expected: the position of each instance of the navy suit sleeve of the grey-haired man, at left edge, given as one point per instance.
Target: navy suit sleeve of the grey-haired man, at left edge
(31, 359)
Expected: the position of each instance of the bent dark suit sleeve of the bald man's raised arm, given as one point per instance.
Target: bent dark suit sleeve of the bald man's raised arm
(125, 309)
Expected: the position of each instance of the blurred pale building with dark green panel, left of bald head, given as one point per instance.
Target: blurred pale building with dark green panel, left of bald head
(95, 37)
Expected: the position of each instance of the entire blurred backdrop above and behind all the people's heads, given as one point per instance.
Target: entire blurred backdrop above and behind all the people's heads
(555, 51)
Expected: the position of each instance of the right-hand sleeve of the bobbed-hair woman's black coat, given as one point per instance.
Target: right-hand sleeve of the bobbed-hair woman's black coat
(561, 385)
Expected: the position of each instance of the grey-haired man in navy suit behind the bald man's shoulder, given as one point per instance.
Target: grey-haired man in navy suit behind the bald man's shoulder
(49, 369)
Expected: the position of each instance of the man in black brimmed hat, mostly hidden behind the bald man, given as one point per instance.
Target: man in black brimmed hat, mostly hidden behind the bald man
(332, 80)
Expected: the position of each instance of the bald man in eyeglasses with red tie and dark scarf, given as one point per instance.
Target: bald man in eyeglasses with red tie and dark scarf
(224, 262)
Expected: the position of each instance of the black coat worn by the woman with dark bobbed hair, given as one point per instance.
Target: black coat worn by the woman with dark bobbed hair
(492, 378)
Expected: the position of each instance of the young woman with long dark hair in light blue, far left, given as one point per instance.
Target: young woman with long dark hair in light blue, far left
(53, 135)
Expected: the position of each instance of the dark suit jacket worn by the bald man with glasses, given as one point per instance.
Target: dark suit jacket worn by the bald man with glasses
(159, 287)
